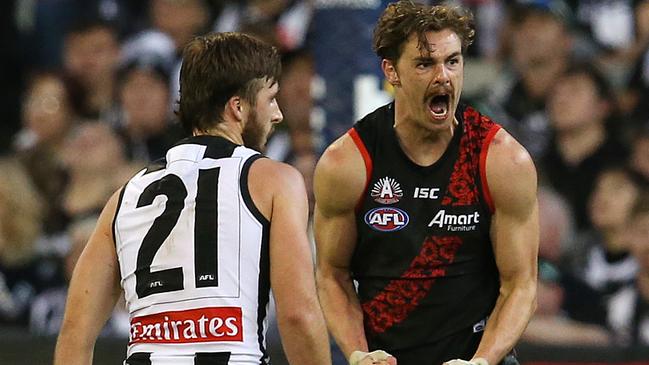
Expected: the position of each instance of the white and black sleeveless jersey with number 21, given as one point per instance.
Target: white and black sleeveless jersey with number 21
(193, 257)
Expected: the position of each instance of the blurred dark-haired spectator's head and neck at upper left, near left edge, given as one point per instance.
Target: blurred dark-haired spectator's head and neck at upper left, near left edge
(90, 57)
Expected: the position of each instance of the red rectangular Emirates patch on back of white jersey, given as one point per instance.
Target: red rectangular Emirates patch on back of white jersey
(196, 325)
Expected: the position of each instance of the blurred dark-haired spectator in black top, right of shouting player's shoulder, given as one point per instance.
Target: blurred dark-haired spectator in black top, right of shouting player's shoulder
(579, 107)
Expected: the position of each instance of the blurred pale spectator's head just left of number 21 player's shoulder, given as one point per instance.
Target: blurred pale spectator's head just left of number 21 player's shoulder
(94, 158)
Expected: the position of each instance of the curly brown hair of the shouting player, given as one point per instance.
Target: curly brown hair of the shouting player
(402, 18)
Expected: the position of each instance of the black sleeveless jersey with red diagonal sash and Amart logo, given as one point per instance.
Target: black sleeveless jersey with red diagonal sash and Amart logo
(423, 261)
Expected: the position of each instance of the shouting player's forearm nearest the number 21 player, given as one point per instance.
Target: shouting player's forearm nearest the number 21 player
(342, 311)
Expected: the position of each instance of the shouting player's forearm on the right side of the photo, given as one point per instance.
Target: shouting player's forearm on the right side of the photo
(507, 321)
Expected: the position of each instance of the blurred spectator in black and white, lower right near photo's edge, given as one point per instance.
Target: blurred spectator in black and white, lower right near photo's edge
(606, 263)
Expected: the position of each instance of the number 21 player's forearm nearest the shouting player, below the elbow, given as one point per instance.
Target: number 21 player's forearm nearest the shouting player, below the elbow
(304, 337)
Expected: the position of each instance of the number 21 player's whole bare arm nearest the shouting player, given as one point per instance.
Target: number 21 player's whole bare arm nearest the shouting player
(278, 190)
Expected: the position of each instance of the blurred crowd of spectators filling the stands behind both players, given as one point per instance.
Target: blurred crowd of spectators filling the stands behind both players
(89, 90)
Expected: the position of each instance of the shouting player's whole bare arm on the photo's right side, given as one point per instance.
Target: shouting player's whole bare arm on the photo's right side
(515, 236)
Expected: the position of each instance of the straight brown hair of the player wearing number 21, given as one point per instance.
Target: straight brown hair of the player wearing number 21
(218, 66)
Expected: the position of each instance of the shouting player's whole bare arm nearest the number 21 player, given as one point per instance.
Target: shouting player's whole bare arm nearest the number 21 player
(338, 184)
